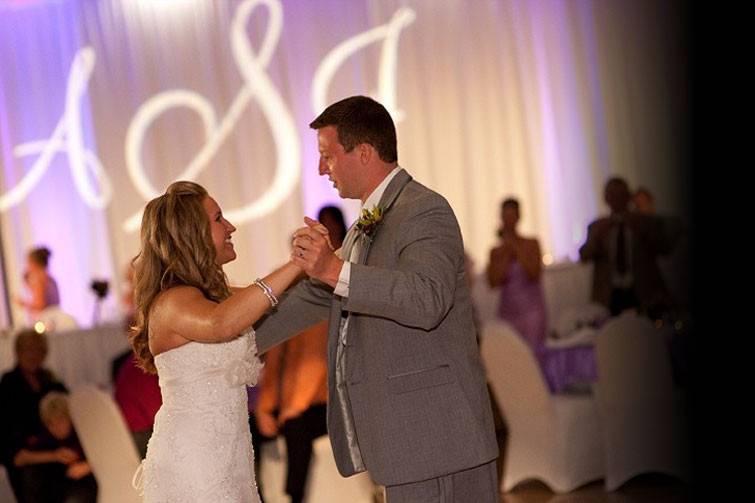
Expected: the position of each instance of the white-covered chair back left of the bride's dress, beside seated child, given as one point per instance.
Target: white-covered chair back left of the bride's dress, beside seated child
(107, 443)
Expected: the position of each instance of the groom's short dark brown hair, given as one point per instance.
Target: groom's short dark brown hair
(360, 119)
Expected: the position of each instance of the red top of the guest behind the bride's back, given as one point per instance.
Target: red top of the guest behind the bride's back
(138, 396)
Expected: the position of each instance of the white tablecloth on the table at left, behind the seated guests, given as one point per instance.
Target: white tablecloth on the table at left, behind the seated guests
(81, 356)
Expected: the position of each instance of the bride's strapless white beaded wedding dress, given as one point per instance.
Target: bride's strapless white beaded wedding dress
(201, 446)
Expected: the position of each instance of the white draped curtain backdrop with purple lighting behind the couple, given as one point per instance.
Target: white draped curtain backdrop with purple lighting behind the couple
(542, 100)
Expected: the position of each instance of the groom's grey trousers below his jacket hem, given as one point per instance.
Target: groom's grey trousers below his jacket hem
(478, 485)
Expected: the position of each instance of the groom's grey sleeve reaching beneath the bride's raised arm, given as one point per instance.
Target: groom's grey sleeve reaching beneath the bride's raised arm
(301, 307)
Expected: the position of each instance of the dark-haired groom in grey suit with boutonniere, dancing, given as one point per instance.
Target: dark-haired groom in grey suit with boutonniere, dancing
(407, 395)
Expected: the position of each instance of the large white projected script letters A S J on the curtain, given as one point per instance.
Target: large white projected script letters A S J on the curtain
(67, 136)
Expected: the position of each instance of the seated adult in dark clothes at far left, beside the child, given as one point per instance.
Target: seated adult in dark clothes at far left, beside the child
(21, 390)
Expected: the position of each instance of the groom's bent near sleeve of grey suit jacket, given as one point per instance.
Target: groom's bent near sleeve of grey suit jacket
(420, 291)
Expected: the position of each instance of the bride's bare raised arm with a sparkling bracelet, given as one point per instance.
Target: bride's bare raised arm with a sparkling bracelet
(185, 312)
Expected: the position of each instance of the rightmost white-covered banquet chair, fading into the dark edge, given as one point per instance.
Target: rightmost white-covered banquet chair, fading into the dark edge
(642, 412)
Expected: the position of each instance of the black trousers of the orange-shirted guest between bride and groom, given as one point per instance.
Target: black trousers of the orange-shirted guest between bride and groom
(299, 433)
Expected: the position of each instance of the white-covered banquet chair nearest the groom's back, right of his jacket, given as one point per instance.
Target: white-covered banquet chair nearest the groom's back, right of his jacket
(553, 438)
